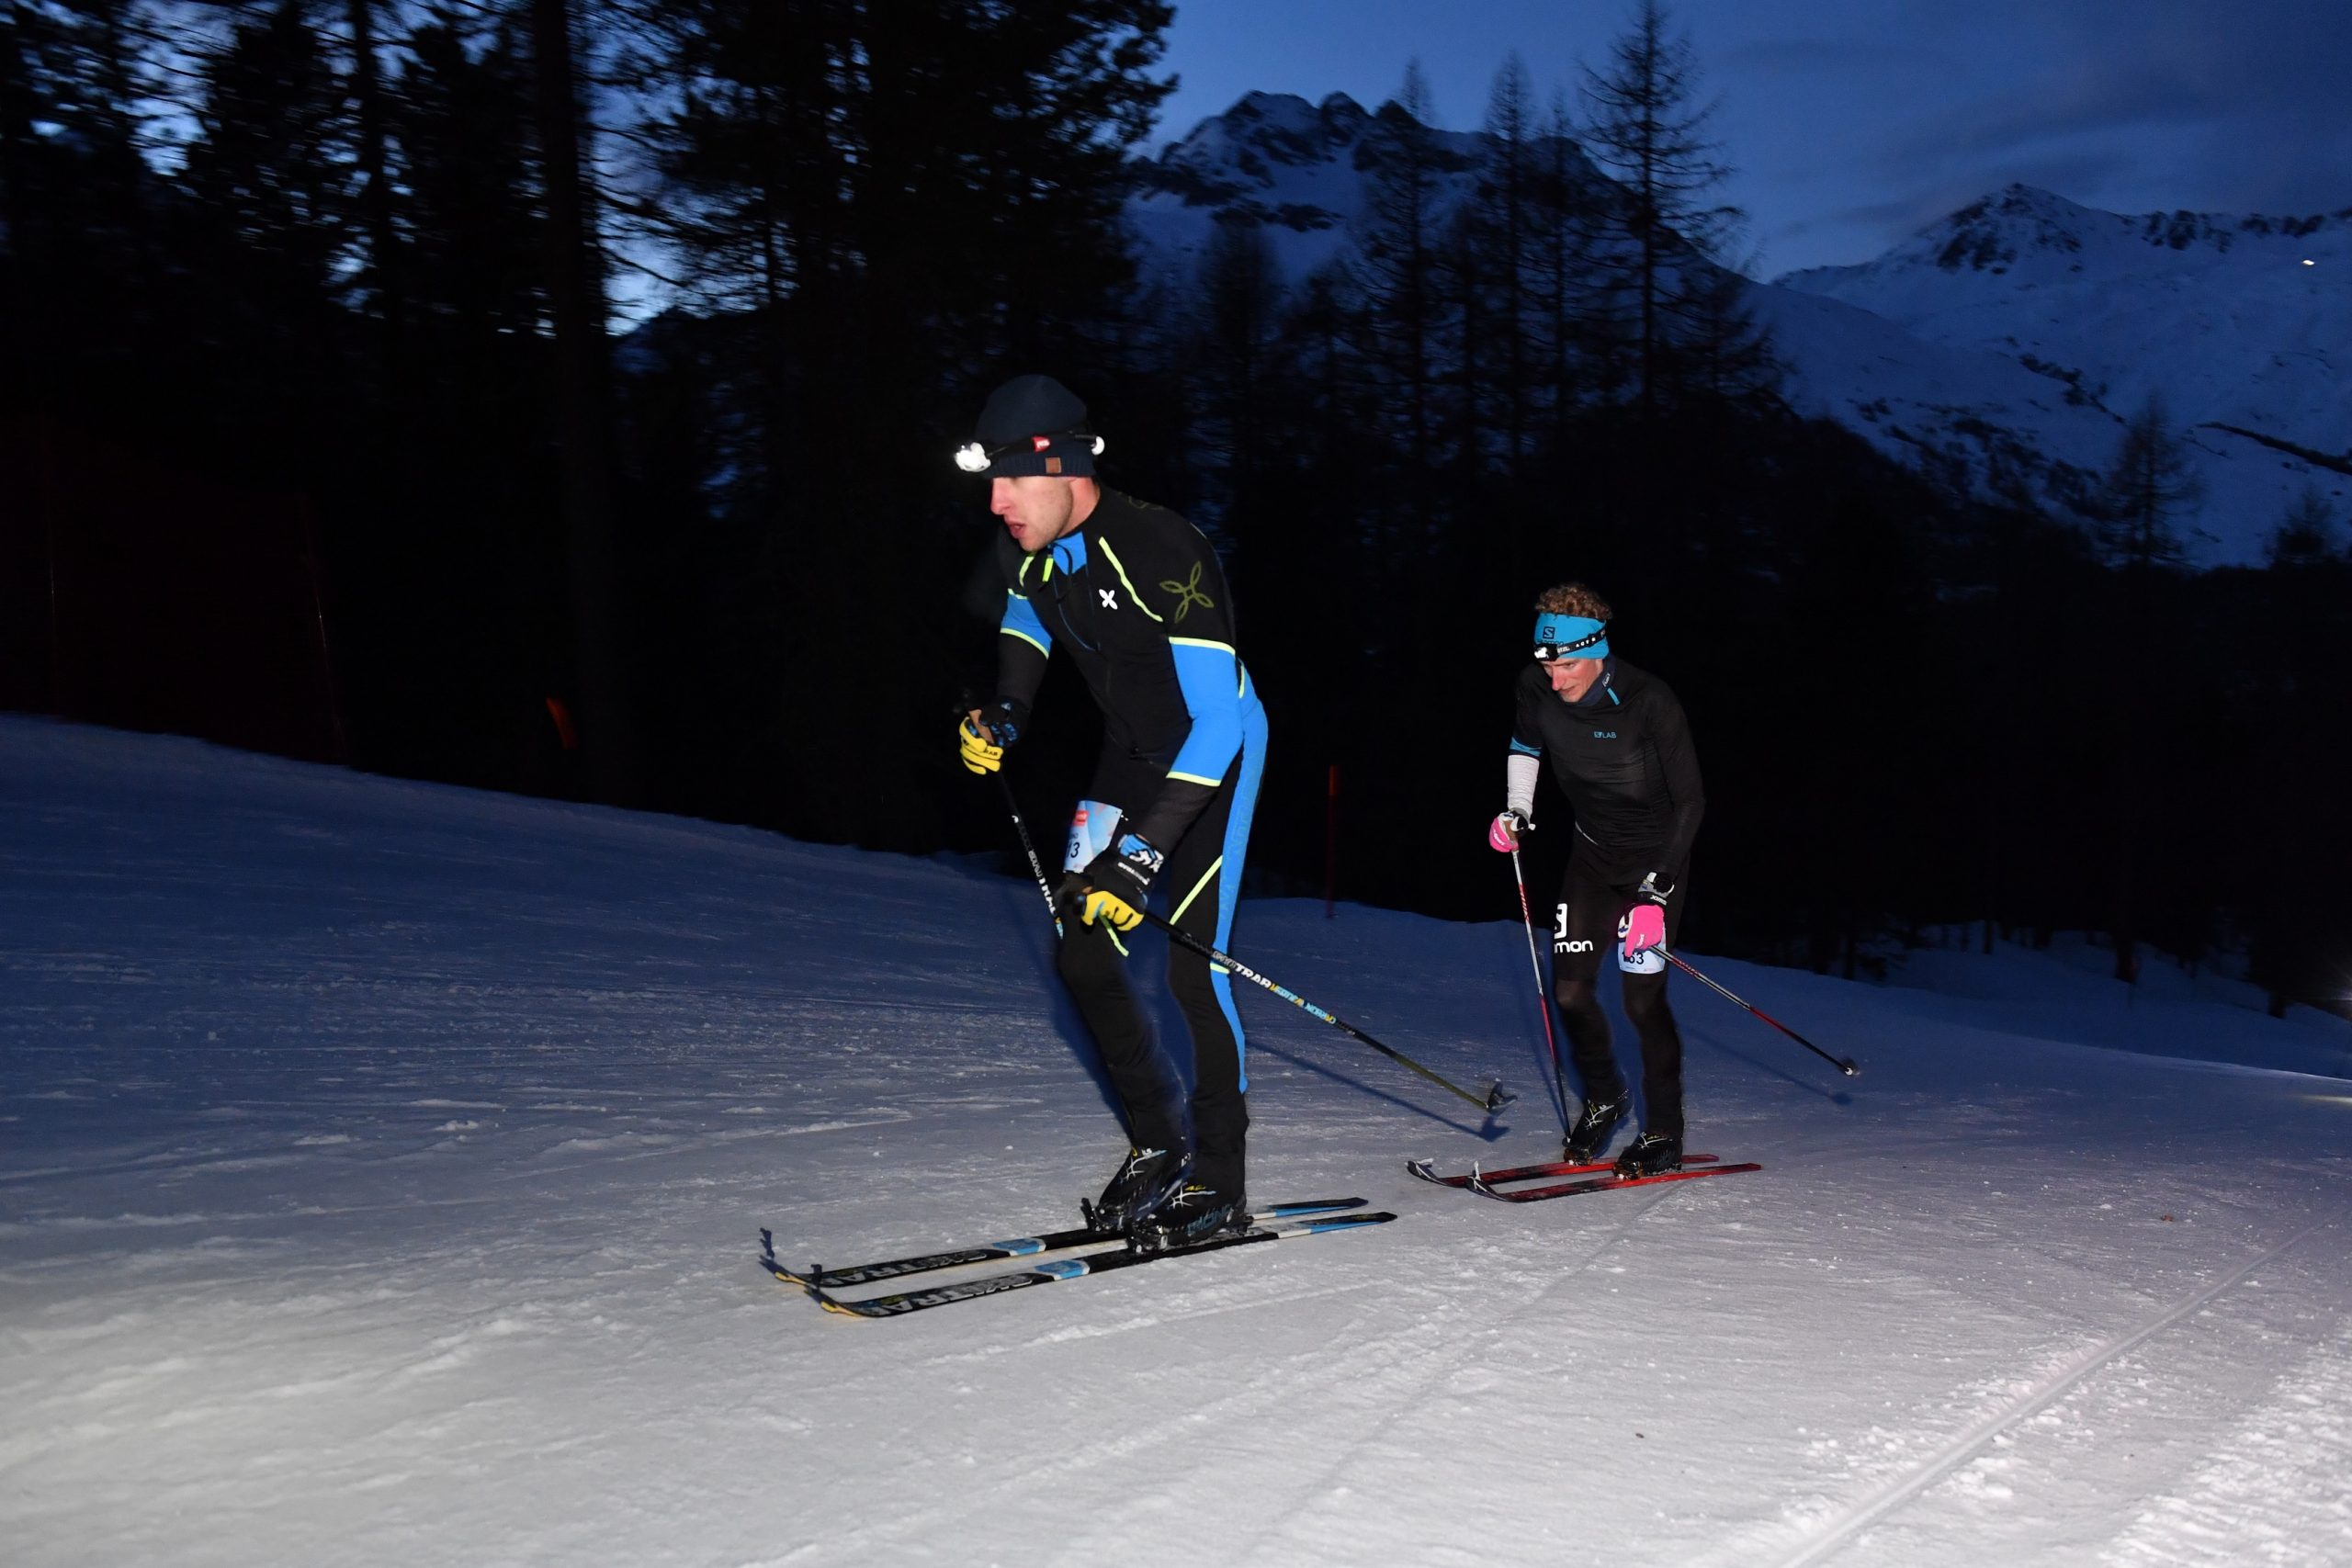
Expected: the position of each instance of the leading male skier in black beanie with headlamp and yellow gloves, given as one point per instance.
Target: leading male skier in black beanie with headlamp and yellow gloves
(1137, 601)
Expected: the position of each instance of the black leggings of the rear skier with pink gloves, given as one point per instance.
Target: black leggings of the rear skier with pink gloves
(1584, 927)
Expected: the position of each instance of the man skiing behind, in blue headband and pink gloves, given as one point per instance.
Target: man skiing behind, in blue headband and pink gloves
(1622, 751)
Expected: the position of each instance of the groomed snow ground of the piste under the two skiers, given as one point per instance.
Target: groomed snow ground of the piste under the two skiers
(382, 1165)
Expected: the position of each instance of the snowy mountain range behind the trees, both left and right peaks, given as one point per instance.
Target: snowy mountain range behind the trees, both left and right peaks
(2010, 340)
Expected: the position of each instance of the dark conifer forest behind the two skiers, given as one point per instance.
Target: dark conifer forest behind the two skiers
(330, 429)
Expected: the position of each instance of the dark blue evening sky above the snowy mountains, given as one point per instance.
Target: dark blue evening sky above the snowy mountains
(1855, 123)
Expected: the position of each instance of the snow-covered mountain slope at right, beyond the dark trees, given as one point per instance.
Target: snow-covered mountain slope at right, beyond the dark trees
(2240, 326)
